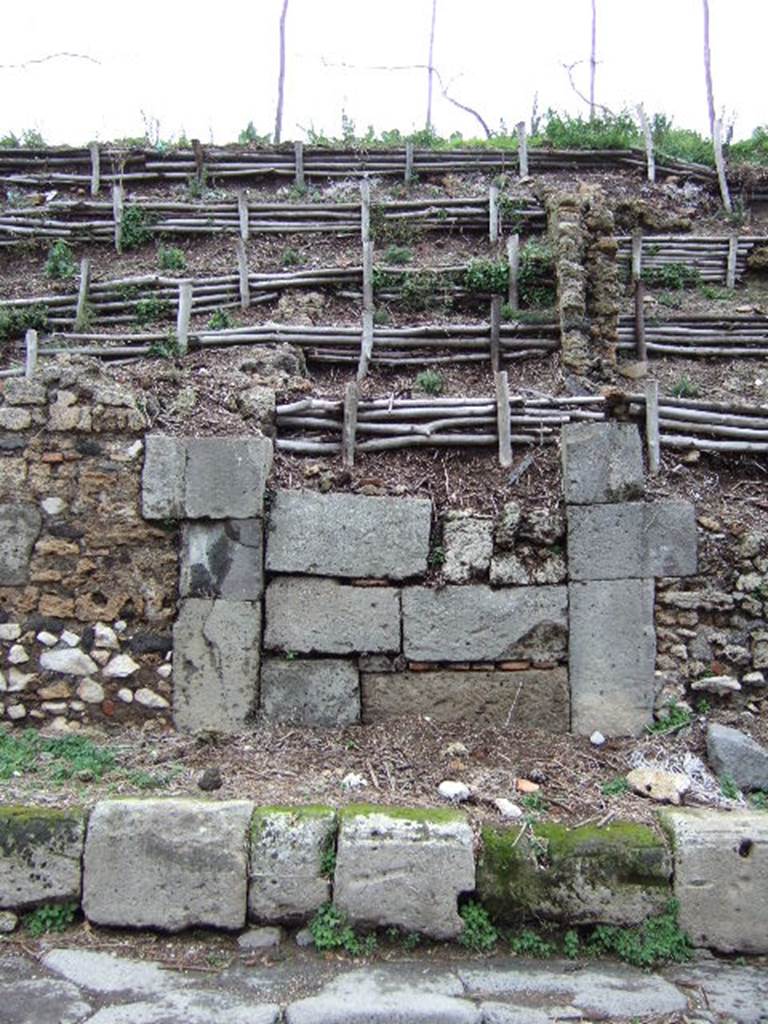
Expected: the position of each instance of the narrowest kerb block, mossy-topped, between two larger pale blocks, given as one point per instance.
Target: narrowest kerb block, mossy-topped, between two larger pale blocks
(288, 880)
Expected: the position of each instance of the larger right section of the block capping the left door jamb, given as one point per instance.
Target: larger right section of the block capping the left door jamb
(226, 478)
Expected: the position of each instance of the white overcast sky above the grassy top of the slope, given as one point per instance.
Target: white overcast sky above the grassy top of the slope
(209, 69)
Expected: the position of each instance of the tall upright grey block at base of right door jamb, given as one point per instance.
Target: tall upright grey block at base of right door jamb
(612, 657)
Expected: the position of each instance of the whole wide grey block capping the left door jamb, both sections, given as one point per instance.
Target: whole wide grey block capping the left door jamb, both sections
(205, 478)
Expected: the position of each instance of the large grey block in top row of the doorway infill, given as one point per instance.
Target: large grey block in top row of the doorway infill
(349, 535)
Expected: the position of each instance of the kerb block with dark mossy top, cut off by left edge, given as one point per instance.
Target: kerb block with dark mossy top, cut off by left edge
(40, 856)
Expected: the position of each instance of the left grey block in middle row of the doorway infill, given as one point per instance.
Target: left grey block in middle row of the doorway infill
(306, 615)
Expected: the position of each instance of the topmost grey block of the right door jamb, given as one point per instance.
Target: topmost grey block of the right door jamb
(602, 462)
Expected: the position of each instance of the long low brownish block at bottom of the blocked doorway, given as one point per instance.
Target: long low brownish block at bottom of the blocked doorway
(536, 700)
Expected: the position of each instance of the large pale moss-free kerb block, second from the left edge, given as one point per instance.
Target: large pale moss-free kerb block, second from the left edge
(167, 864)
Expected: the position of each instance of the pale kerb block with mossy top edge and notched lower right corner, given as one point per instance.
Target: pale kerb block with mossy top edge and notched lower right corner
(405, 869)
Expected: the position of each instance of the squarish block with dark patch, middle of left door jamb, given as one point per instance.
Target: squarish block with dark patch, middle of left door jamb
(223, 560)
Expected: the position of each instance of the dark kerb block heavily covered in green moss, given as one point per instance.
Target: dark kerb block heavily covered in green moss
(618, 875)
